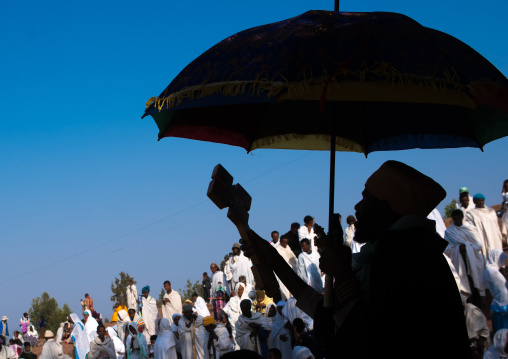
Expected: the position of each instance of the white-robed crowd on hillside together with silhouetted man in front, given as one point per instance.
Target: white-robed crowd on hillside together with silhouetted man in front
(235, 317)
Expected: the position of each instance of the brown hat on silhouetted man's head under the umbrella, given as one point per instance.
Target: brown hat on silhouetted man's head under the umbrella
(406, 190)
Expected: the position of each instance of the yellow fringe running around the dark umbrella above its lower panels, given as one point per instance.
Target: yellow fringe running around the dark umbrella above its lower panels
(272, 89)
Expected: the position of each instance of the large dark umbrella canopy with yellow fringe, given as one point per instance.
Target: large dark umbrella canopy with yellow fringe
(380, 80)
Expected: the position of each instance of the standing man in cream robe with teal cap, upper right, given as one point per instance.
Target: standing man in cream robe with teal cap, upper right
(485, 221)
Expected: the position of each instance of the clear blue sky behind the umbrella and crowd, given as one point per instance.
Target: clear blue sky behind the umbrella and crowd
(86, 189)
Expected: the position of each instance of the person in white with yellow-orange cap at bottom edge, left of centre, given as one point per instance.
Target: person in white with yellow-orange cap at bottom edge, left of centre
(217, 341)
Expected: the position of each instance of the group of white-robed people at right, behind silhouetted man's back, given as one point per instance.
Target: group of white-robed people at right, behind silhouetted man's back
(476, 257)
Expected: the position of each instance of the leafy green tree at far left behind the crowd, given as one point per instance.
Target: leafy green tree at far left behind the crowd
(47, 307)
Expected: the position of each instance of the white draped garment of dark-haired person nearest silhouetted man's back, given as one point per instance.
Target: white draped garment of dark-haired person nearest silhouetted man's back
(468, 236)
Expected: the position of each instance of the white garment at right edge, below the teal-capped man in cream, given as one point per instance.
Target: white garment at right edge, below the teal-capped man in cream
(493, 279)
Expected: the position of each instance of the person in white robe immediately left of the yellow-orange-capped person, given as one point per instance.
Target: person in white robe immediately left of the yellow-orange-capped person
(192, 334)
